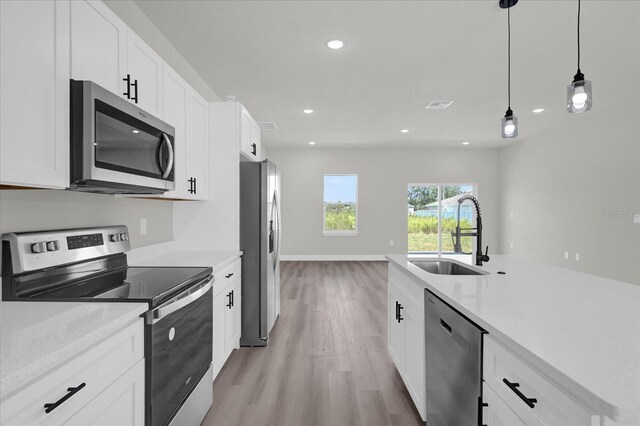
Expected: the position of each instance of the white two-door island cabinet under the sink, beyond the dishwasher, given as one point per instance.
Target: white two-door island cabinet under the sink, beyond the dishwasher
(406, 334)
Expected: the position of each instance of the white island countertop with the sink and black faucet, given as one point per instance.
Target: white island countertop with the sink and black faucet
(580, 330)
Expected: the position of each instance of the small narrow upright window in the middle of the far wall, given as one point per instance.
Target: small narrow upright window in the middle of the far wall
(340, 205)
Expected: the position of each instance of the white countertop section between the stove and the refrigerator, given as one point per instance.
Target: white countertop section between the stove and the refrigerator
(213, 258)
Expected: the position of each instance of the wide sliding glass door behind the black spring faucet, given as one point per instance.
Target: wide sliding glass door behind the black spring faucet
(432, 217)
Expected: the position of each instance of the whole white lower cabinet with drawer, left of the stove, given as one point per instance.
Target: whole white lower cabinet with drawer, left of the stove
(102, 385)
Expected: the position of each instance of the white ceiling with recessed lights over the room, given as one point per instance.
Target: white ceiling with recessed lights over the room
(400, 56)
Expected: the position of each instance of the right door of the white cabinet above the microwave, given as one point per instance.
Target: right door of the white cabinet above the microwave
(145, 73)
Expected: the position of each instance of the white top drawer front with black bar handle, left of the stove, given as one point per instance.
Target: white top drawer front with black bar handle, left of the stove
(96, 368)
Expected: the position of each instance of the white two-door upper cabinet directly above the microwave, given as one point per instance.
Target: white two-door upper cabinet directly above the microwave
(105, 51)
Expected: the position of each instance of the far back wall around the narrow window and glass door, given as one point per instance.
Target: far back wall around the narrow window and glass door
(383, 177)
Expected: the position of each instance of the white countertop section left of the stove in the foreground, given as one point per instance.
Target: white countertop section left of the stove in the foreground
(36, 337)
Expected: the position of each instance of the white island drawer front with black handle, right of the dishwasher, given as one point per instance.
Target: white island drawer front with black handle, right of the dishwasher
(553, 406)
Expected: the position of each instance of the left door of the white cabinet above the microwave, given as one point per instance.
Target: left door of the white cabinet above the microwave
(98, 45)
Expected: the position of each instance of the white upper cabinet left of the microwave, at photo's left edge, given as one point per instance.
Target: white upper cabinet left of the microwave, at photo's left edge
(34, 93)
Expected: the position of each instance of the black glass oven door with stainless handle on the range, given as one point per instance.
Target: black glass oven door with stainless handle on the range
(179, 348)
